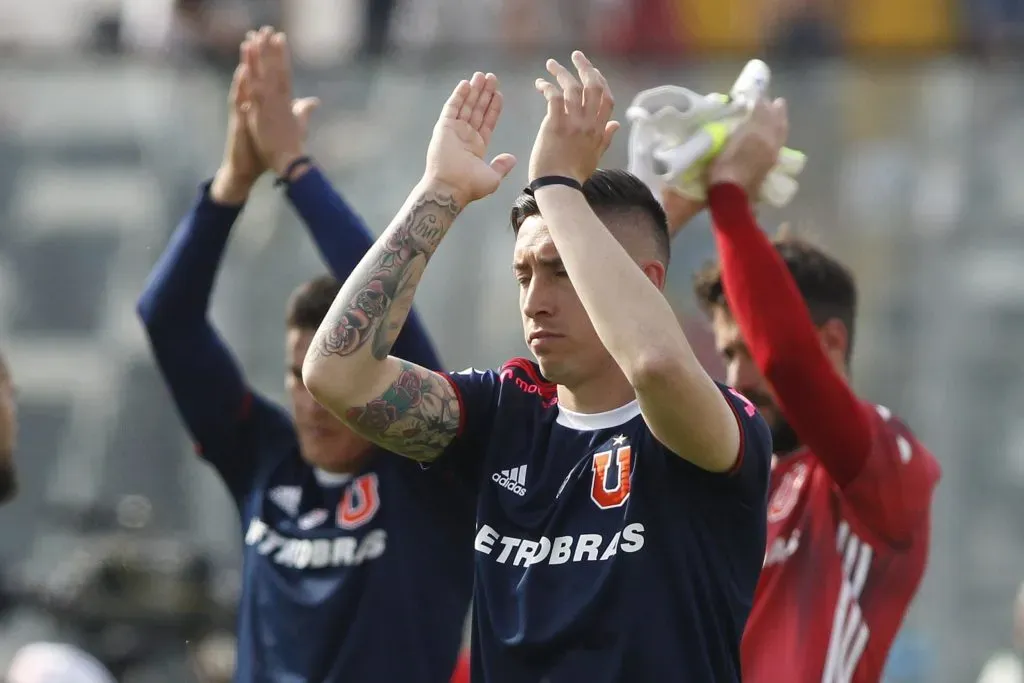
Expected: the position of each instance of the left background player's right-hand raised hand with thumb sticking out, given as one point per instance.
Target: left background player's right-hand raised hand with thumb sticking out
(278, 123)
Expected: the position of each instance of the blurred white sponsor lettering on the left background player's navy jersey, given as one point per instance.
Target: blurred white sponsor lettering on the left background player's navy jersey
(315, 553)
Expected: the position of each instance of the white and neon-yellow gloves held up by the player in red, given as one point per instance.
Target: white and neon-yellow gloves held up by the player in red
(675, 134)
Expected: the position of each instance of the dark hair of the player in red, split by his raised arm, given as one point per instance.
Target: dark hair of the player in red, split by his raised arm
(828, 287)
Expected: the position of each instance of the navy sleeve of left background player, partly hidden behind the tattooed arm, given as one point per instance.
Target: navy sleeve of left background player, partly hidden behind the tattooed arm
(344, 240)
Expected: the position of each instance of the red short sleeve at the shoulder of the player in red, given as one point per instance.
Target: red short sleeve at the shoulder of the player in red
(892, 494)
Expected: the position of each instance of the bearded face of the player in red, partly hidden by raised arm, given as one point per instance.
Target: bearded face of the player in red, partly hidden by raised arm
(745, 376)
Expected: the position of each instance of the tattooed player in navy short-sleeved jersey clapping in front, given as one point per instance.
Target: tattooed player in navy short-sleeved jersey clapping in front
(621, 520)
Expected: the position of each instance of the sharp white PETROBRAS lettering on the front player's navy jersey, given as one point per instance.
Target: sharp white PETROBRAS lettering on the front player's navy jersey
(560, 550)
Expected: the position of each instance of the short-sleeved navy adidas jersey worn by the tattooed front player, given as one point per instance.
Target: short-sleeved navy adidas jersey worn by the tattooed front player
(601, 556)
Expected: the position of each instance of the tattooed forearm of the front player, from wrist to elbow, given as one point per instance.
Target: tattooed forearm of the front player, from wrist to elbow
(374, 303)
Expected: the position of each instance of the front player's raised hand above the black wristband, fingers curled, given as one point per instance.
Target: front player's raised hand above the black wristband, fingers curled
(577, 131)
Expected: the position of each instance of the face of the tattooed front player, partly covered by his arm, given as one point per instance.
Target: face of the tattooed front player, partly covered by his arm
(557, 326)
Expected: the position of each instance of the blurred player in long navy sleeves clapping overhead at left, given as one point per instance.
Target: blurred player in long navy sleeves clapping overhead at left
(357, 565)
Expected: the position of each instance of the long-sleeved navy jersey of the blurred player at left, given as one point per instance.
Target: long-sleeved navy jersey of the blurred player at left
(365, 581)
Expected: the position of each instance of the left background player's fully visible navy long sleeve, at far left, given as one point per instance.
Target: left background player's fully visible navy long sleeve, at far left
(206, 383)
